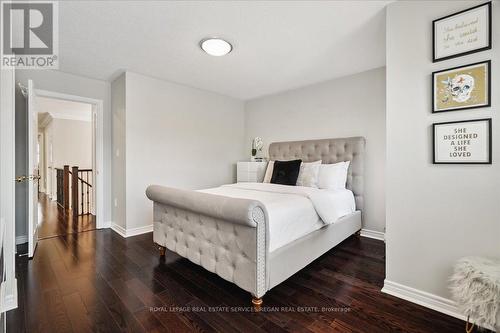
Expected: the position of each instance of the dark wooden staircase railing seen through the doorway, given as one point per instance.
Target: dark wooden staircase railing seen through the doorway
(75, 189)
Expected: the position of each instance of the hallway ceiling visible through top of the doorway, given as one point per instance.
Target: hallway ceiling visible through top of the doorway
(62, 109)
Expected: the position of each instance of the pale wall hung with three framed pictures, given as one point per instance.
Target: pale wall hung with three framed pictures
(435, 213)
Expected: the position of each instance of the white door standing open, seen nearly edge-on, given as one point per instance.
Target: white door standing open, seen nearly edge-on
(33, 175)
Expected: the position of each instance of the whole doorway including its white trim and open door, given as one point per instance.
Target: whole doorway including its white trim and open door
(64, 151)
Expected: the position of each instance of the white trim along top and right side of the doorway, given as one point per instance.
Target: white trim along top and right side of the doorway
(97, 105)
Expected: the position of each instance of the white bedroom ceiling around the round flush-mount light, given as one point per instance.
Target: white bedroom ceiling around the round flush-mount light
(278, 45)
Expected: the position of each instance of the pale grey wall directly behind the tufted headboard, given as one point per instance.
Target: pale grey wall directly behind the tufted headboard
(344, 107)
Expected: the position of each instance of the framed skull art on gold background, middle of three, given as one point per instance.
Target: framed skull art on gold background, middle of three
(461, 88)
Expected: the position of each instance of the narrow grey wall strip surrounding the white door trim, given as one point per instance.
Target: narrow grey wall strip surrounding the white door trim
(65, 83)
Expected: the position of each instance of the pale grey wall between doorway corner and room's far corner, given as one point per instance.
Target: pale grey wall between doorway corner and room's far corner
(175, 136)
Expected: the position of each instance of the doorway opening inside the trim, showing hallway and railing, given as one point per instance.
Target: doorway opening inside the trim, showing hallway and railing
(66, 160)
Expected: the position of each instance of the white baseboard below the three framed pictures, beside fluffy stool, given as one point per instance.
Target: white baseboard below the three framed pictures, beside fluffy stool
(431, 301)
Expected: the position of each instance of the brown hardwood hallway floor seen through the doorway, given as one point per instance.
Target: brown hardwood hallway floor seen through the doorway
(54, 221)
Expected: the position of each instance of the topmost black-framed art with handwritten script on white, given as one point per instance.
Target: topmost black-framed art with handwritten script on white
(462, 33)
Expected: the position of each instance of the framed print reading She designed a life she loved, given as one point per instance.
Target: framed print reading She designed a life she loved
(462, 142)
